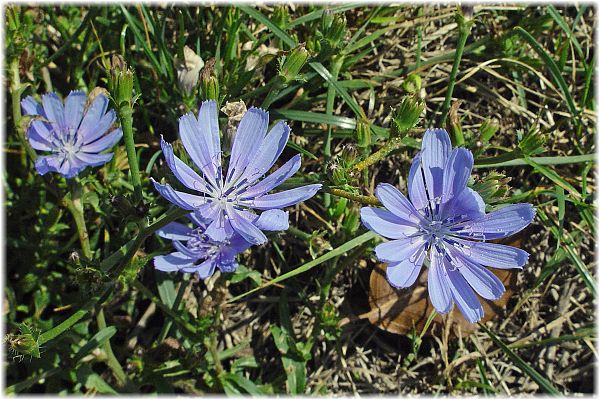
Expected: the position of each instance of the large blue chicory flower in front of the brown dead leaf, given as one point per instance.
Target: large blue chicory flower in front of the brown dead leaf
(442, 222)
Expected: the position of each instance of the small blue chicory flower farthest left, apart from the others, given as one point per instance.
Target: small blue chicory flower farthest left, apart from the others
(75, 136)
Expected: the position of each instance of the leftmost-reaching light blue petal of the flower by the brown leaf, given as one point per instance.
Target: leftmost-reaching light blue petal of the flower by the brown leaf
(386, 224)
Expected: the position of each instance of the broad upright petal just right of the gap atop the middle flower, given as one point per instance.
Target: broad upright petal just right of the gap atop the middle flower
(249, 135)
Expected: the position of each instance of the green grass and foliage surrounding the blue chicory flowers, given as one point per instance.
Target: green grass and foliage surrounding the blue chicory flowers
(104, 322)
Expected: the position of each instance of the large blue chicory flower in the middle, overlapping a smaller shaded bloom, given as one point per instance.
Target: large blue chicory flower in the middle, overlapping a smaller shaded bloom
(229, 201)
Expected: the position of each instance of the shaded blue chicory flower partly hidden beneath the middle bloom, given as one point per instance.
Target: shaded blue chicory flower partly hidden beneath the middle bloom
(200, 254)
